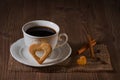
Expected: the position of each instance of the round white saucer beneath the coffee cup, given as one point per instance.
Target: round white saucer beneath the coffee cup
(20, 53)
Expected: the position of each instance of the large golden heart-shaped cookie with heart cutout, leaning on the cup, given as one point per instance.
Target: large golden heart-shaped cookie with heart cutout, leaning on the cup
(45, 47)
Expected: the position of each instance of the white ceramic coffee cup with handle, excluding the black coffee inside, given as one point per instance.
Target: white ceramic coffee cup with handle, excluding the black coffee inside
(54, 40)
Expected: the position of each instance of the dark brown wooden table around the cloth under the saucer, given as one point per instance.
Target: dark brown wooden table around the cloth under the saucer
(101, 17)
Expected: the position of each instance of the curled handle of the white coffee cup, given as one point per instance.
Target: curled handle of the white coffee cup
(62, 40)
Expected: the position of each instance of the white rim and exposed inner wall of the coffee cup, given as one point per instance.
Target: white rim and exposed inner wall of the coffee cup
(36, 21)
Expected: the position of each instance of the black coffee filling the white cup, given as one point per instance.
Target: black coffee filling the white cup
(40, 31)
